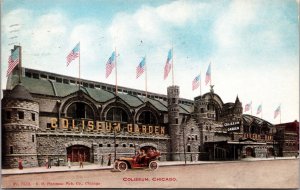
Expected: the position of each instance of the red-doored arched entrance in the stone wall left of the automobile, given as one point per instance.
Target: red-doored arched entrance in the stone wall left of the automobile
(74, 152)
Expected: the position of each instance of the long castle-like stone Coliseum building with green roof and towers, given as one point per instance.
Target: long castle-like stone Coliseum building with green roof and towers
(46, 115)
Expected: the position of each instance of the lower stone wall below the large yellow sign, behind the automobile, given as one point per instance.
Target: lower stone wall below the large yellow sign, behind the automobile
(55, 146)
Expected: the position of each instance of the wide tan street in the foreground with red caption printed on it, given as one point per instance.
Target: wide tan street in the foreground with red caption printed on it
(256, 174)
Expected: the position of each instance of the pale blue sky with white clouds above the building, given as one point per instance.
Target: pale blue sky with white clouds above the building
(252, 45)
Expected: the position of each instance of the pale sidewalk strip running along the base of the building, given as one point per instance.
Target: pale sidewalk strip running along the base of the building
(16, 171)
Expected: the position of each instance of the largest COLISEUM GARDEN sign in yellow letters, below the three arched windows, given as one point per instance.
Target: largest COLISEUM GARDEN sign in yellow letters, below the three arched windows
(105, 126)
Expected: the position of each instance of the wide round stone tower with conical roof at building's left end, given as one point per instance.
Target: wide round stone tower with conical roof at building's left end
(20, 120)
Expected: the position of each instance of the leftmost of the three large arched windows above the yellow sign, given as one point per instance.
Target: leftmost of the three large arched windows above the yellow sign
(79, 110)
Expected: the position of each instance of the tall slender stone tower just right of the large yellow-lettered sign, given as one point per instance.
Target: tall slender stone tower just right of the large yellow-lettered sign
(173, 118)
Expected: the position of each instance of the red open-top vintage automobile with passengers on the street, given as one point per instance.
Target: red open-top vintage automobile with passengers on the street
(148, 160)
